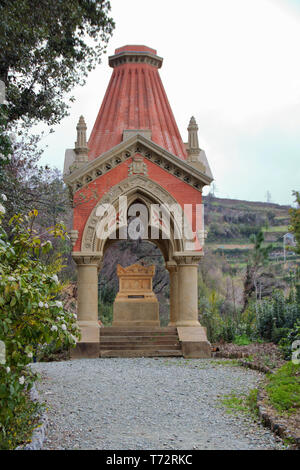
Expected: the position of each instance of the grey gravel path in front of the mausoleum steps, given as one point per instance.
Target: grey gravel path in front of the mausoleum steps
(144, 403)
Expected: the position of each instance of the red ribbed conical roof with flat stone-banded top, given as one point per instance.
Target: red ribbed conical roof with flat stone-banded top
(135, 99)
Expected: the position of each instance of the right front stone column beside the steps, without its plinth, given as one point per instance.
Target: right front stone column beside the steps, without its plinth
(187, 314)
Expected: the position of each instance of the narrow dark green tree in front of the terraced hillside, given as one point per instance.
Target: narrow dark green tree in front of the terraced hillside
(258, 258)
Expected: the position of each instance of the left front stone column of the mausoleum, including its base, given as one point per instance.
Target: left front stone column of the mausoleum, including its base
(87, 304)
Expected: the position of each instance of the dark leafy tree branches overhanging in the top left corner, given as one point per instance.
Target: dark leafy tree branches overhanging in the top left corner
(46, 48)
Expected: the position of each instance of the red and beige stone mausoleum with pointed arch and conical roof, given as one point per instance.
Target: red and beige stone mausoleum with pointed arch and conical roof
(135, 151)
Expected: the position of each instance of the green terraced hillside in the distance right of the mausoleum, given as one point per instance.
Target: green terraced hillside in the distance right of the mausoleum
(231, 222)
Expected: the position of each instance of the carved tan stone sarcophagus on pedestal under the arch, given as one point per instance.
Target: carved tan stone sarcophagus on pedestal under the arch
(136, 304)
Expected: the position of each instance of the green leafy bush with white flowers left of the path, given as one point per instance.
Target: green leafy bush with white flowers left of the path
(30, 315)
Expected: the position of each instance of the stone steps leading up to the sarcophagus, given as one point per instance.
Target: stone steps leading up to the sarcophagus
(139, 342)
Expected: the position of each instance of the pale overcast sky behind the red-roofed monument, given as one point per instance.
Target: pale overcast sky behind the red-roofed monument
(232, 64)
